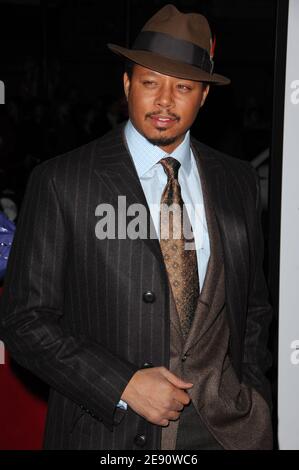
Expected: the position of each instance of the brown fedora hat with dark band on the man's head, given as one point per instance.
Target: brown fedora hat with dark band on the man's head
(176, 44)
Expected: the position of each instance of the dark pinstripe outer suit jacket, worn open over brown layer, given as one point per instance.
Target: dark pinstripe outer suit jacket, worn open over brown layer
(85, 314)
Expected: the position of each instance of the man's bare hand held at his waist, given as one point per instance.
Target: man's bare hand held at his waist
(157, 395)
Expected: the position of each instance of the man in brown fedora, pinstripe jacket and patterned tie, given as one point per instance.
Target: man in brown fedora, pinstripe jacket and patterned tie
(145, 342)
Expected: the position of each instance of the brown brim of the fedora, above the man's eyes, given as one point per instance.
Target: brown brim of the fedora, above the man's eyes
(168, 66)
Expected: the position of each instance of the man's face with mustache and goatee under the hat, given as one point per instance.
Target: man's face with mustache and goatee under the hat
(162, 108)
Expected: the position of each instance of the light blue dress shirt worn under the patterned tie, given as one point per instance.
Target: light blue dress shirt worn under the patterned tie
(153, 180)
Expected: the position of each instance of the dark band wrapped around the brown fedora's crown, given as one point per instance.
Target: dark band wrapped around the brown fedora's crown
(172, 48)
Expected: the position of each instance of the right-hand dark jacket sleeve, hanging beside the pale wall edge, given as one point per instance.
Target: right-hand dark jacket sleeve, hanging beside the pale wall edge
(257, 358)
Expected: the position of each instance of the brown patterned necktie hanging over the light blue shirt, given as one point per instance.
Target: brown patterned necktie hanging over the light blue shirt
(181, 263)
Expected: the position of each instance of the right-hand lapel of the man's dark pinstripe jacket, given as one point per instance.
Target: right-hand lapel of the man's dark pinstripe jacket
(230, 216)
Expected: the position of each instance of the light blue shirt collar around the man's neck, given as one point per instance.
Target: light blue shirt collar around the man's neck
(145, 155)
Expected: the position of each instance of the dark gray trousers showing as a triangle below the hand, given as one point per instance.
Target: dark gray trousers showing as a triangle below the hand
(193, 434)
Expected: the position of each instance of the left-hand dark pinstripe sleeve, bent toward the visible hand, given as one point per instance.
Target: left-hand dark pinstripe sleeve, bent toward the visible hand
(32, 308)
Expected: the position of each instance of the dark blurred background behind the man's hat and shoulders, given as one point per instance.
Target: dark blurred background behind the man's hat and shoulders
(64, 87)
